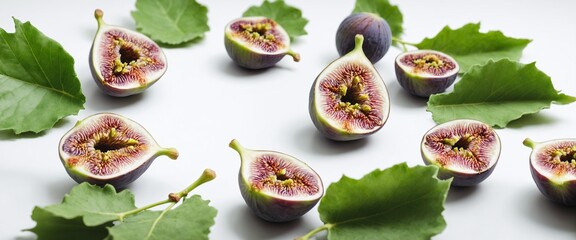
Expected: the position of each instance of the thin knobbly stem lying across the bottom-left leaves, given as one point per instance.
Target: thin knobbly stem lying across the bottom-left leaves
(173, 198)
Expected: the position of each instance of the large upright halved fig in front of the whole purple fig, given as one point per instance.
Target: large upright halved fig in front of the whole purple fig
(349, 100)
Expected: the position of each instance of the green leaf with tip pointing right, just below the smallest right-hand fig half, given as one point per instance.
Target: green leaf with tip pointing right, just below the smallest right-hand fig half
(497, 93)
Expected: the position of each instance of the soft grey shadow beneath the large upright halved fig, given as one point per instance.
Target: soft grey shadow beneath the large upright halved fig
(309, 139)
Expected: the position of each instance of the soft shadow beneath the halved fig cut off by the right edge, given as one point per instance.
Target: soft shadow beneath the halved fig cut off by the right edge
(548, 213)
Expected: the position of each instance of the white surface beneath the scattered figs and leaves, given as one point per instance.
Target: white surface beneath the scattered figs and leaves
(204, 101)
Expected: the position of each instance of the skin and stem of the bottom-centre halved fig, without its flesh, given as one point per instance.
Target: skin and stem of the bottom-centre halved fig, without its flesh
(273, 208)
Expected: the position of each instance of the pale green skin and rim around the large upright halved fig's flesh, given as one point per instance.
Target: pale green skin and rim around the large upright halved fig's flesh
(334, 130)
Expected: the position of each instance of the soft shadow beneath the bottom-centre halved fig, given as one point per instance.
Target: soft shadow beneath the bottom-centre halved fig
(246, 225)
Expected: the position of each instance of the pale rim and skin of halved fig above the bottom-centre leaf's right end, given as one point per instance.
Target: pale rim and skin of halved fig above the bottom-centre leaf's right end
(459, 177)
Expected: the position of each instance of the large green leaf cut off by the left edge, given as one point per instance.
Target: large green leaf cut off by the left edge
(39, 84)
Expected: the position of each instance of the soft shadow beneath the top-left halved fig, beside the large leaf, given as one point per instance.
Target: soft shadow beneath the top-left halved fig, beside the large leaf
(102, 102)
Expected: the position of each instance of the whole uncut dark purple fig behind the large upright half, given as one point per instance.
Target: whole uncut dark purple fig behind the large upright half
(376, 32)
